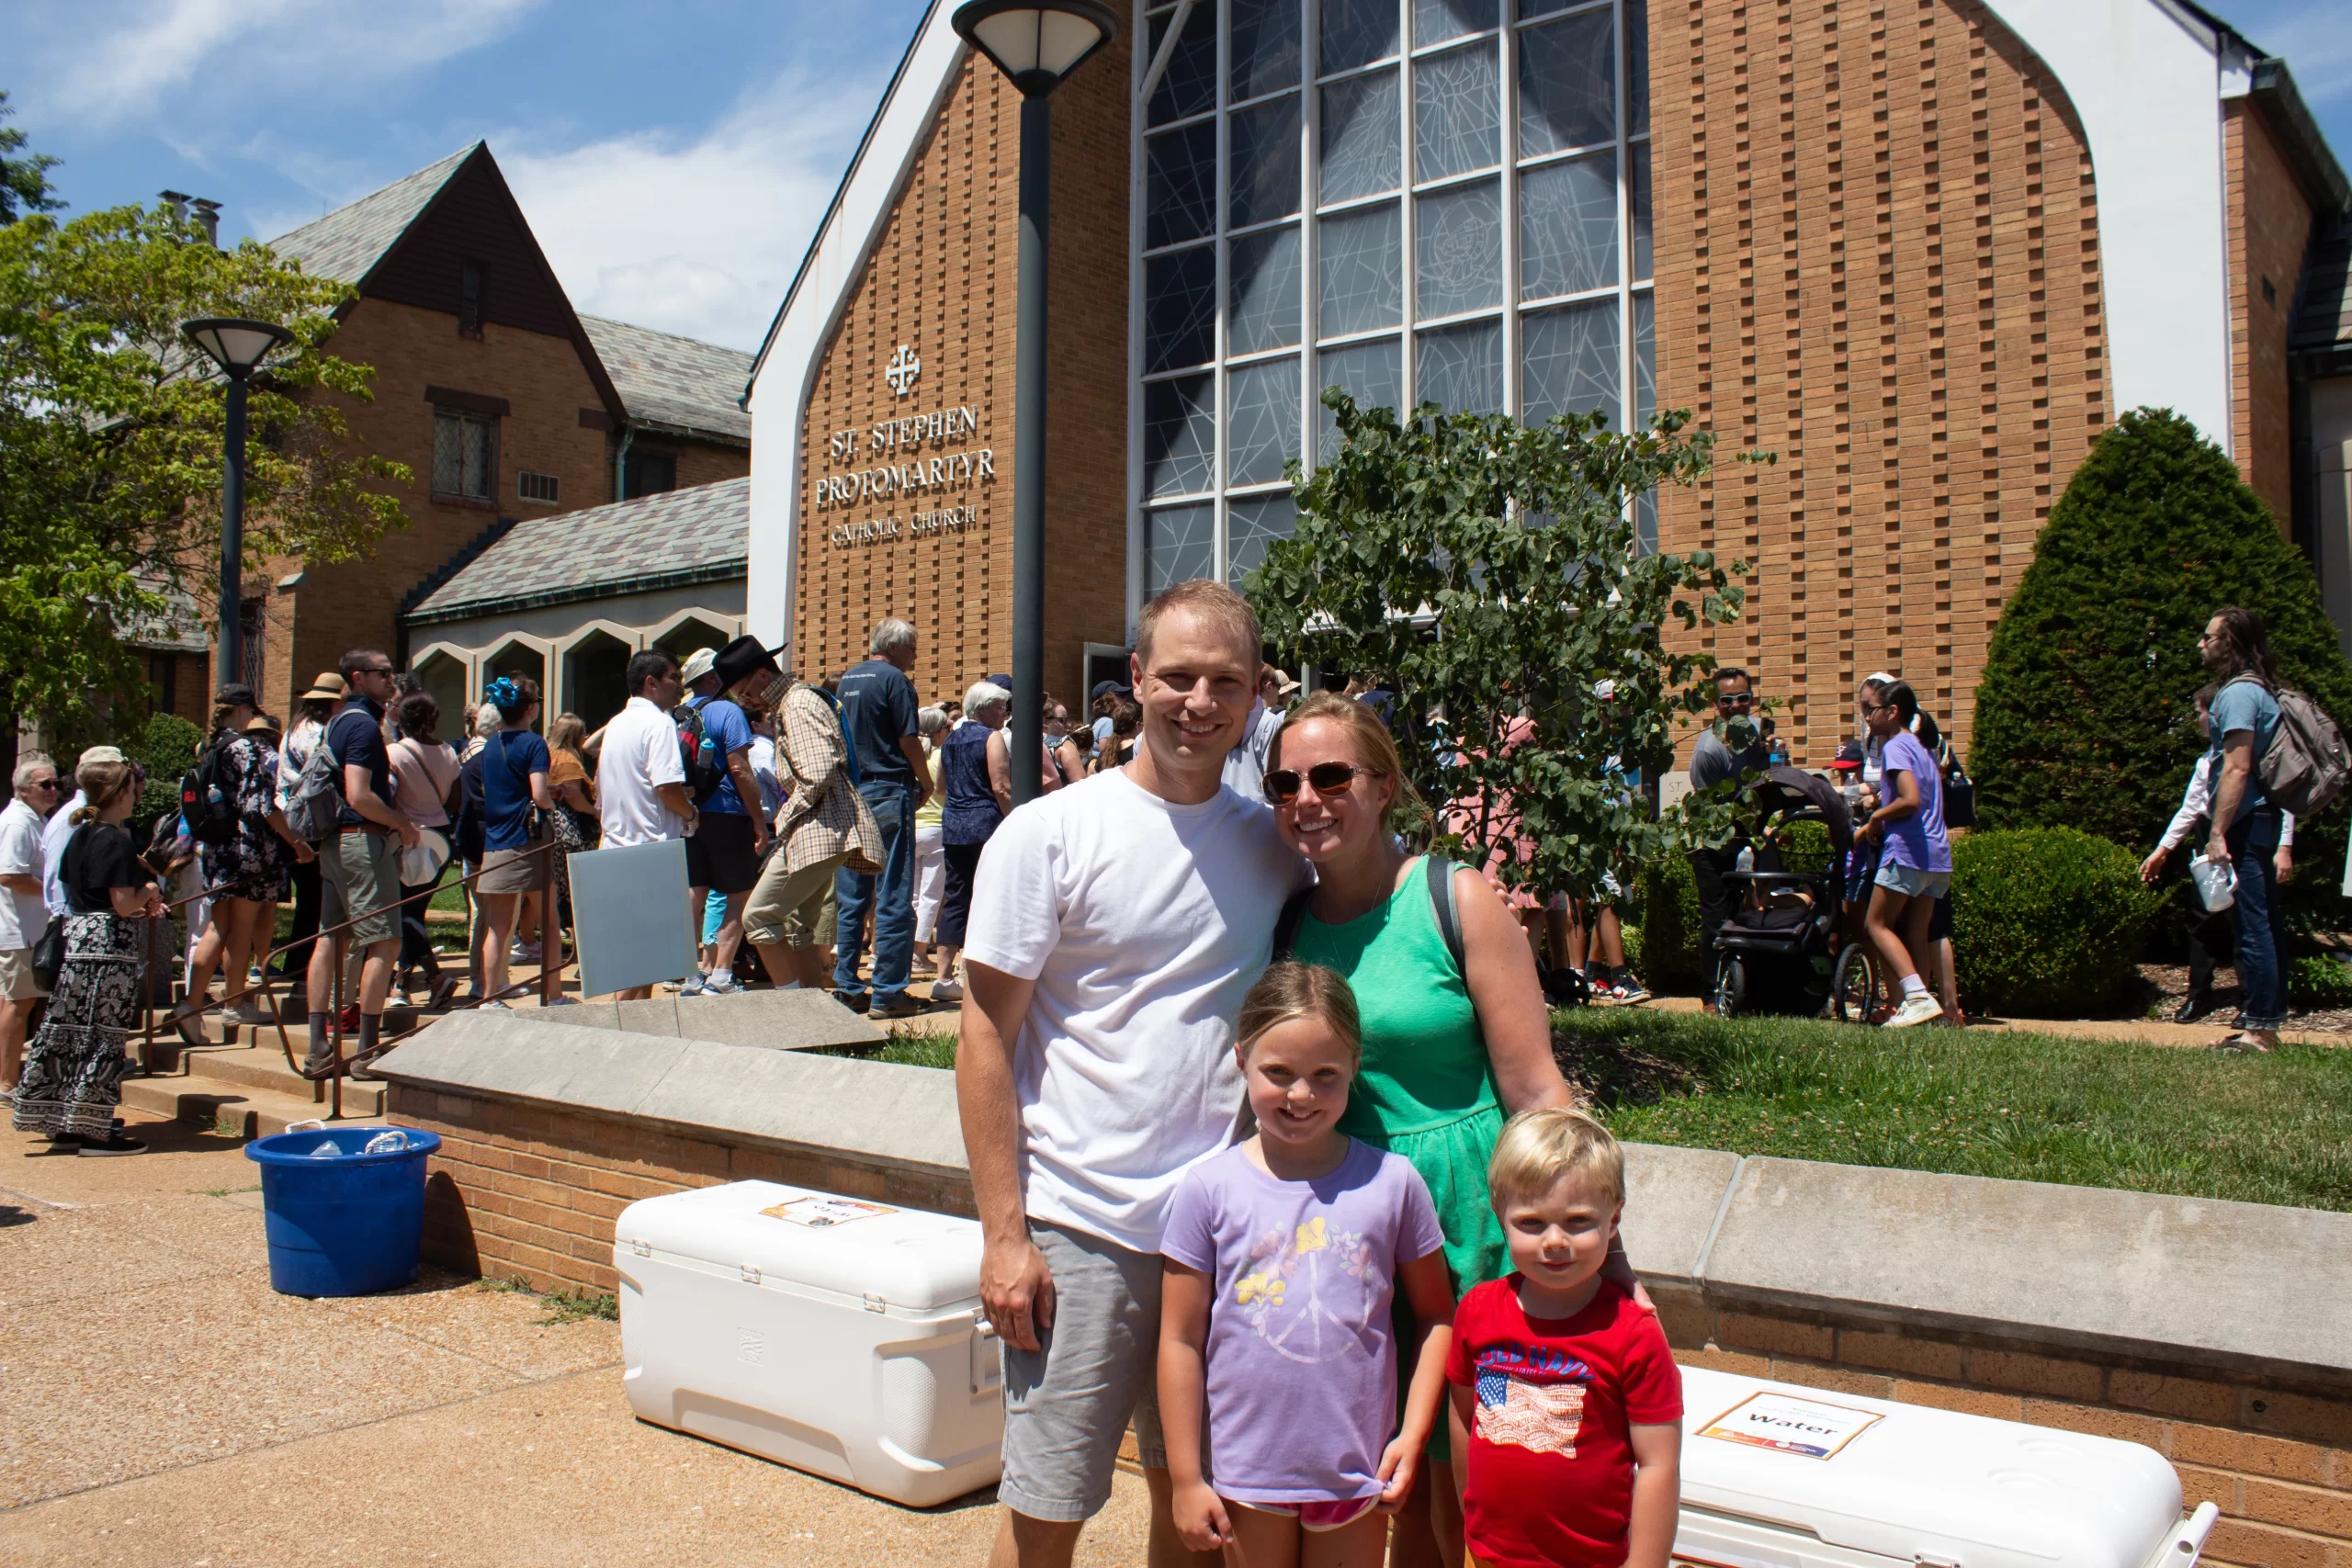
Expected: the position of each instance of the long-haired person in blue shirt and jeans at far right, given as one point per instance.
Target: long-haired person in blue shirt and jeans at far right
(2245, 836)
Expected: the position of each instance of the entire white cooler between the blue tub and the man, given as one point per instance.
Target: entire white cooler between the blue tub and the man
(822, 1332)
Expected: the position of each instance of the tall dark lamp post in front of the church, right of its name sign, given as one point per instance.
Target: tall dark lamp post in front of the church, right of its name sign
(1036, 48)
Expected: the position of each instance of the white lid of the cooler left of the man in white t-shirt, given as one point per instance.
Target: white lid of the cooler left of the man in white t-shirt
(794, 1235)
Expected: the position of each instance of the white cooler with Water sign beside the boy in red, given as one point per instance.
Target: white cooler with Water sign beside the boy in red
(1789, 1477)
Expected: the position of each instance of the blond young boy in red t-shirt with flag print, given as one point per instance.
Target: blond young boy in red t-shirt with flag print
(1563, 1381)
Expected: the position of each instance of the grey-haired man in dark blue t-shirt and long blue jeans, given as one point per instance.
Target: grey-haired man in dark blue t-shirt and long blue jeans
(881, 716)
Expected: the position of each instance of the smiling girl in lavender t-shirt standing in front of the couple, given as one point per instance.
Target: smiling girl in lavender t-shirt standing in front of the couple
(1283, 1259)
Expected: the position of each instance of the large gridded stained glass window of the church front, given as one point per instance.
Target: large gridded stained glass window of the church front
(1438, 201)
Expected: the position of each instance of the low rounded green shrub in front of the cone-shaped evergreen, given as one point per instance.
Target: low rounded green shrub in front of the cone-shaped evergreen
(2047, 920)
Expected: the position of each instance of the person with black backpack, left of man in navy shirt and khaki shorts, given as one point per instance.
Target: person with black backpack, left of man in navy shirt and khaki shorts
(246, 850)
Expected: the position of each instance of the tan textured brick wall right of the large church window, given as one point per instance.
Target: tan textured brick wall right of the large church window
(1878, 257)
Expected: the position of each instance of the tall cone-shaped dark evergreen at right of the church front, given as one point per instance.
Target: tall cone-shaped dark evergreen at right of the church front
(2087, 709)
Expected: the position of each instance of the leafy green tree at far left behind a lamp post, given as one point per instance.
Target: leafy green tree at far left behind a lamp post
(112, 436)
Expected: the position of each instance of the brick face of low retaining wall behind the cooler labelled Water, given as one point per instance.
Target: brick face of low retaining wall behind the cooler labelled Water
(2276, 1459)
